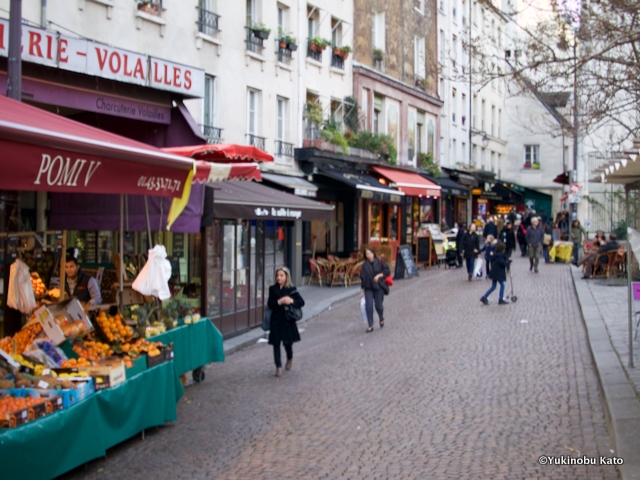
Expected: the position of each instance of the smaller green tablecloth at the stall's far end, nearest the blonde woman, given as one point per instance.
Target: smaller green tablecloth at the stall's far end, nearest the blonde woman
(194, 345)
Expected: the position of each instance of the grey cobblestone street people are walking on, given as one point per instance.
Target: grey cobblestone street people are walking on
(449, 389)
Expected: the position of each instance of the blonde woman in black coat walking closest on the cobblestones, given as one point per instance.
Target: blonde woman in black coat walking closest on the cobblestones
(282, 329)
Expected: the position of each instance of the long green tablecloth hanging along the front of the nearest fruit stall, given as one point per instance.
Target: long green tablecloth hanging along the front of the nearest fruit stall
(60, 442)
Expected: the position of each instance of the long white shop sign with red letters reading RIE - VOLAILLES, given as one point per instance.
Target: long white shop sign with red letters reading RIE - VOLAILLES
(54, 49)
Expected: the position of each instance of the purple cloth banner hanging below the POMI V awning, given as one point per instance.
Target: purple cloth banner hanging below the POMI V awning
(94, 212)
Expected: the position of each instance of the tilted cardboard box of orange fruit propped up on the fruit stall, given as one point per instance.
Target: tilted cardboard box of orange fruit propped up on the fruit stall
(62, 320)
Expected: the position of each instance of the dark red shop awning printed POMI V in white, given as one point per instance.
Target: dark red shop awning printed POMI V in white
(43, 151)
